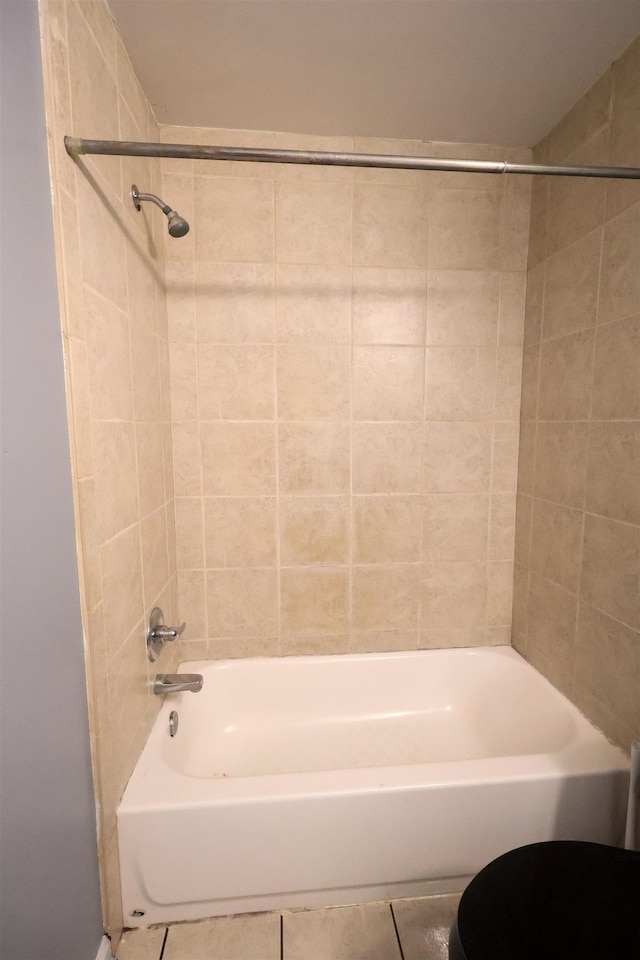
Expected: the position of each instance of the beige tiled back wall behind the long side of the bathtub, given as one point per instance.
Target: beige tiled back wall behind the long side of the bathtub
(346, 351)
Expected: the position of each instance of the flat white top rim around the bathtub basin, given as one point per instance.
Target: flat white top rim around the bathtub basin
(589, 752)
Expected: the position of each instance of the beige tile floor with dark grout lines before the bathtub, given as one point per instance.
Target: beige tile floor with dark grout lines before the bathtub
(416, 929)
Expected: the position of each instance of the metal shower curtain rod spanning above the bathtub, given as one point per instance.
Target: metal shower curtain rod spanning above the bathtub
(183, 151)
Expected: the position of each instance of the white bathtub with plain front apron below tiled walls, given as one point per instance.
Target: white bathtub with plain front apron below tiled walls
(308, 781)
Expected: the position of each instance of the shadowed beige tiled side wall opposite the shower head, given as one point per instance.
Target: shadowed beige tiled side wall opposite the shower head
(577, 585)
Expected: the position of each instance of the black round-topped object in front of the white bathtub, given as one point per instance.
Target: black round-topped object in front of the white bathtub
(558, 900)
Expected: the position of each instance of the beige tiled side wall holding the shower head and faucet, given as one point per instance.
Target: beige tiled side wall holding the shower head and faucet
(110, 267)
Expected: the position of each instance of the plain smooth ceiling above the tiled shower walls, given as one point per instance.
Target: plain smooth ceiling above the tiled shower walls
(482, 71)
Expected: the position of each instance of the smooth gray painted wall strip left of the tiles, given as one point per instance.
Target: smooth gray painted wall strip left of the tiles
(49, 890)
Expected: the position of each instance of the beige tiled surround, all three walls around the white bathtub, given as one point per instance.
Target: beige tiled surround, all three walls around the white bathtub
(351, 411)
